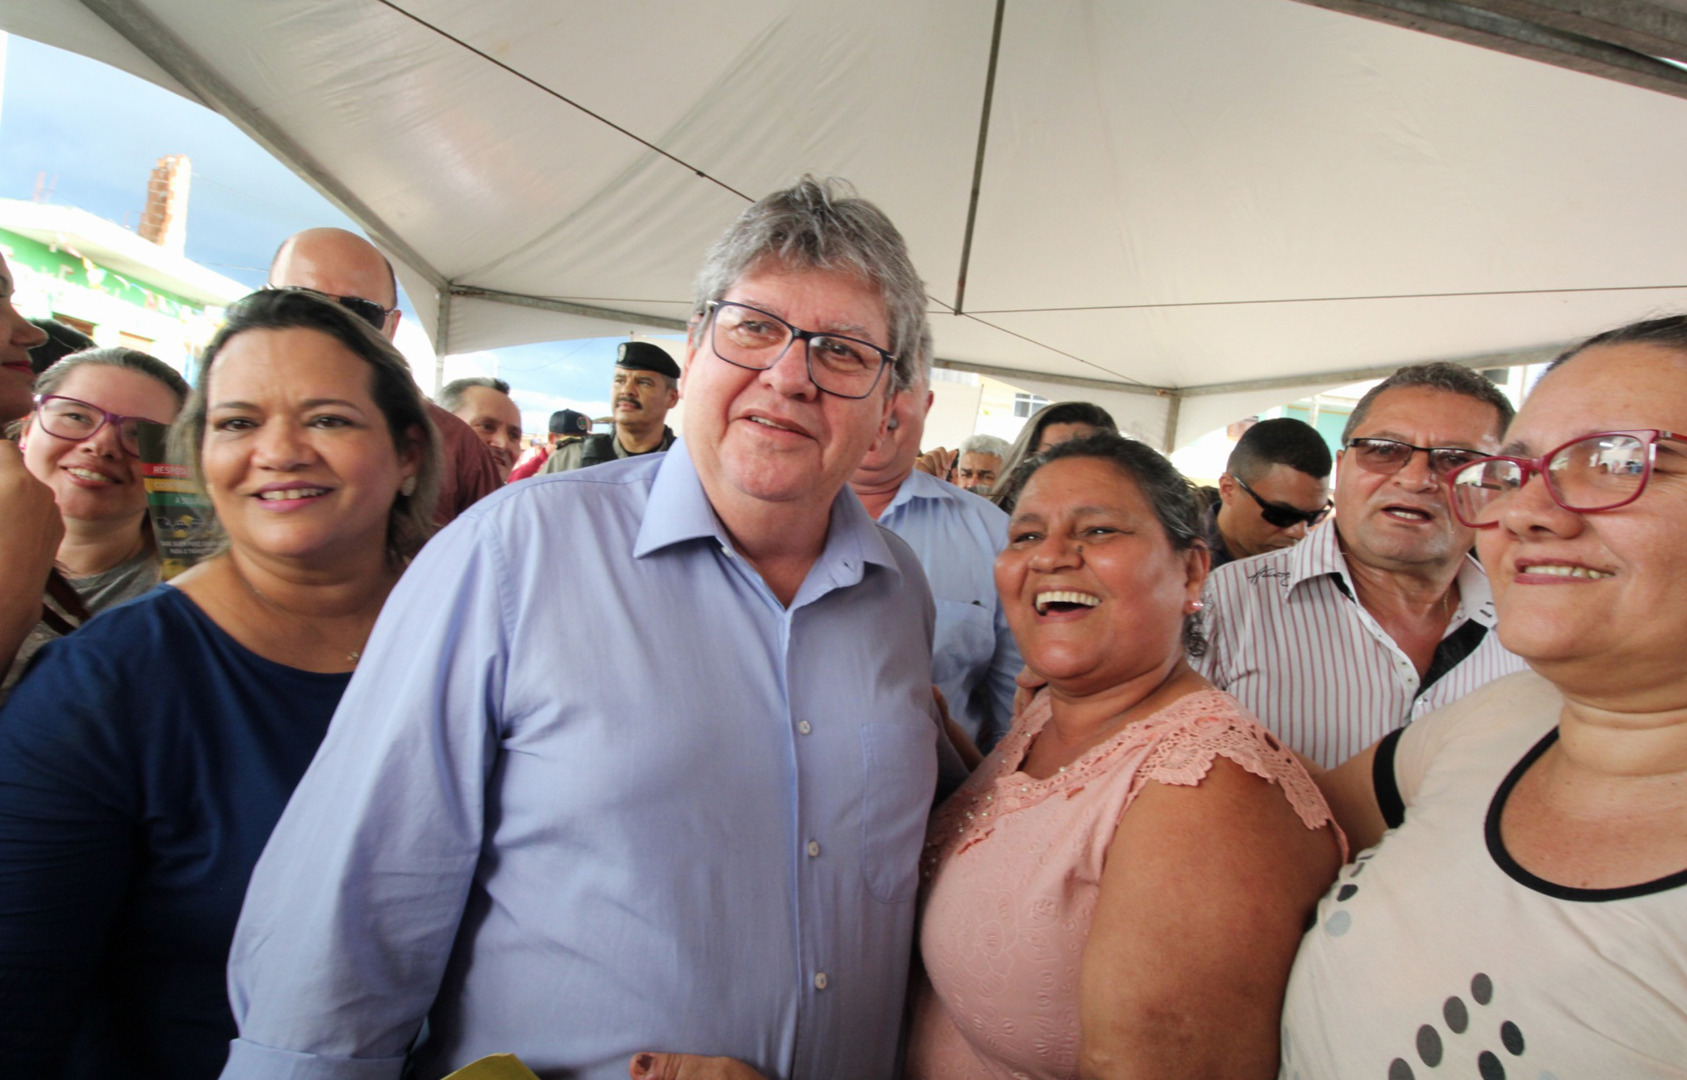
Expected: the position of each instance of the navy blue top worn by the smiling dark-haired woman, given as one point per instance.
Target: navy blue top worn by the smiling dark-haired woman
(144, 762)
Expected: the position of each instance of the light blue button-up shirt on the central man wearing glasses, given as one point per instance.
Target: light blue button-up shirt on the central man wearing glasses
(595, 791)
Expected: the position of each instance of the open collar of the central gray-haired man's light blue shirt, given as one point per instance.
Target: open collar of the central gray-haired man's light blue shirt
(679, 510)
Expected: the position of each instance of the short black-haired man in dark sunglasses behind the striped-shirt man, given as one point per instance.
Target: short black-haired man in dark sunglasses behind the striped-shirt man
(1275, 489)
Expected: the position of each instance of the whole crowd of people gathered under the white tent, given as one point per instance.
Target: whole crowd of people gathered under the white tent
(787, 750)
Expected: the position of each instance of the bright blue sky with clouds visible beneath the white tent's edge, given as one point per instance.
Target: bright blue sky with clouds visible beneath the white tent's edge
(77, 132)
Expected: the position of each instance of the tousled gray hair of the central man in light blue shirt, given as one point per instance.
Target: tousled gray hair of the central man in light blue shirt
(822, 225)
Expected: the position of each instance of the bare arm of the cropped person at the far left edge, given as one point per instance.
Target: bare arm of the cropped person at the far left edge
(28, 546)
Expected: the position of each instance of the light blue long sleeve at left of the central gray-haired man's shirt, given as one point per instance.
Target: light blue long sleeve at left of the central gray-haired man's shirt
(355, 905)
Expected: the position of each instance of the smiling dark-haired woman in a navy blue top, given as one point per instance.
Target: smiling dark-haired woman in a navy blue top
(146, 759)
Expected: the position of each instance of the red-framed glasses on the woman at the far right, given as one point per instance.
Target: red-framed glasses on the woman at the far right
(1587, 475)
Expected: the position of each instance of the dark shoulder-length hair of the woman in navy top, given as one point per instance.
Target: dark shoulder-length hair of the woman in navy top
(409, 521)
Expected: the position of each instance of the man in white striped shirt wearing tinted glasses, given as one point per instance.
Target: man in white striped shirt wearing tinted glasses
(1381, 615)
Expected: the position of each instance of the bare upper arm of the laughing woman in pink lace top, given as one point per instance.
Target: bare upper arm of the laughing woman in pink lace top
(1205, 897)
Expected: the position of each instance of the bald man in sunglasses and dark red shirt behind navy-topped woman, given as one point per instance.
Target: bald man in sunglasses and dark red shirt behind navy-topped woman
(352, 273)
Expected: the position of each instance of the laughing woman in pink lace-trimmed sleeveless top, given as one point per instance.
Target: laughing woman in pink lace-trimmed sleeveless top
(1121, 887)
